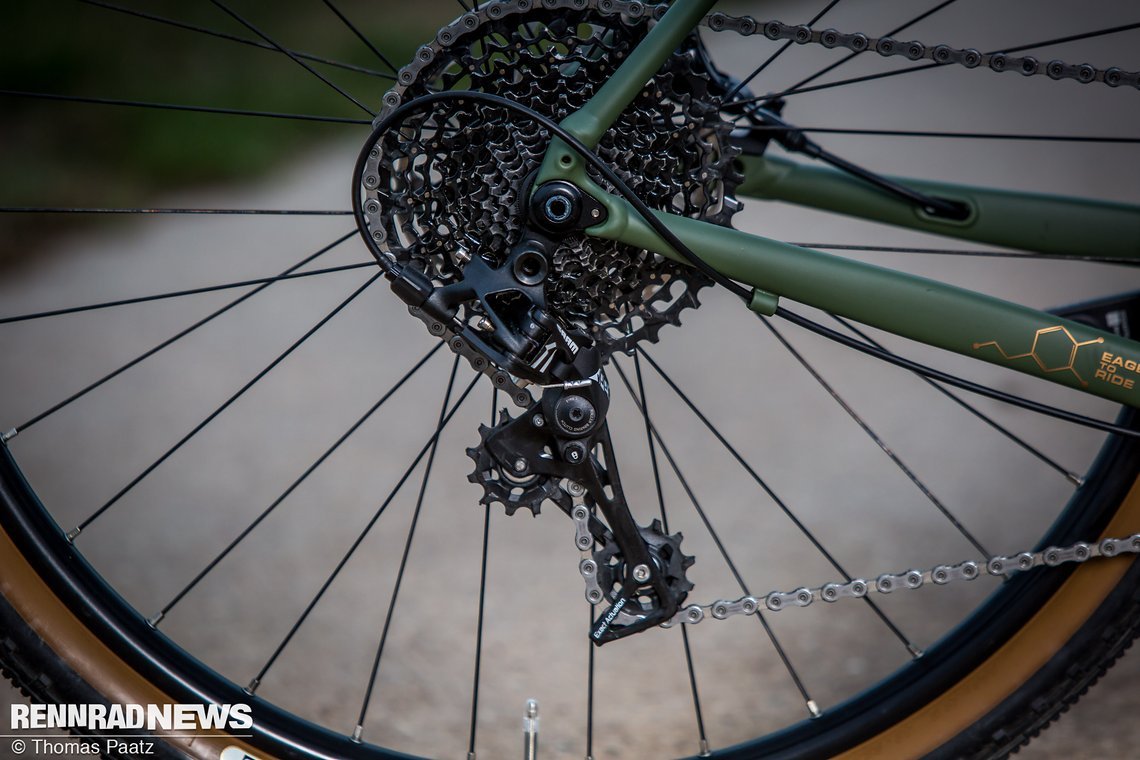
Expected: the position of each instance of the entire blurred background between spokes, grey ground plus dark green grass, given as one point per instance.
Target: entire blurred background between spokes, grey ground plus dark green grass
(161, 534)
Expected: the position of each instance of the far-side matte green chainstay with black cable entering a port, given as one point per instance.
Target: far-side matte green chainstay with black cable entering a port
(1029, 222)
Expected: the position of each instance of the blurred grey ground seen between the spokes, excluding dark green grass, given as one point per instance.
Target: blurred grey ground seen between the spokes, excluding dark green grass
(154, 540)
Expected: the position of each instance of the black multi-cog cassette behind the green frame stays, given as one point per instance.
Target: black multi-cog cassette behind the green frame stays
(452, 183)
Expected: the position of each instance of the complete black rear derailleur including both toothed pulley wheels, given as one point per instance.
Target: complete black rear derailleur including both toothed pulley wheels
(559, 450)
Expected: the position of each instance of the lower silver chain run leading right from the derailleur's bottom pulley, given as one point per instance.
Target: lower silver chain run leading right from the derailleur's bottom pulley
(909, 581)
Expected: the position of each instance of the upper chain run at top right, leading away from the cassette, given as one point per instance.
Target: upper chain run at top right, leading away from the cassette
(914, 51)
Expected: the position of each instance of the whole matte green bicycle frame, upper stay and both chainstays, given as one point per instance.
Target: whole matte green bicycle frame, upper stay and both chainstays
(952, 318)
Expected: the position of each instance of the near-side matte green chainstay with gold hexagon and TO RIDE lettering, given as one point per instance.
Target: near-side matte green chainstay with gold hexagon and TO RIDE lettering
(937, 314)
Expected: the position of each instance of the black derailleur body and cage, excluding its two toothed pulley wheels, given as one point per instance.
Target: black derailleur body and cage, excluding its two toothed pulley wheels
(501, 310)
